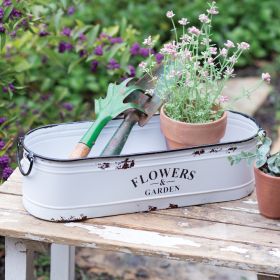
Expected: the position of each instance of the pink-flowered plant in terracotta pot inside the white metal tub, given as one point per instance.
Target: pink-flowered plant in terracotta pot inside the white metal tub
(195, 72)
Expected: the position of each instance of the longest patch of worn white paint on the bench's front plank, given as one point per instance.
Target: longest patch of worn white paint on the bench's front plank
(133, 236)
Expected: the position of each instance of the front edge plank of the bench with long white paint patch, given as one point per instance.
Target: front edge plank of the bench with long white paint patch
(137, 241)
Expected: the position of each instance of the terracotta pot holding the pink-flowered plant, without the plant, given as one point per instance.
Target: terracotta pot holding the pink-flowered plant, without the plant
(182, 135)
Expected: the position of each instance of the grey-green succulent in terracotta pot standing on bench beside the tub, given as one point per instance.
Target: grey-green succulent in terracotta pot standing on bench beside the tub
(267, 176)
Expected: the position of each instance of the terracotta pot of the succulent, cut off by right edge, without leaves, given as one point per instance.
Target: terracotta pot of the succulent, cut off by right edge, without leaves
(268, 194)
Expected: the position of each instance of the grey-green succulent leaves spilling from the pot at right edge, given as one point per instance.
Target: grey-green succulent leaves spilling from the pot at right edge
(266, 162)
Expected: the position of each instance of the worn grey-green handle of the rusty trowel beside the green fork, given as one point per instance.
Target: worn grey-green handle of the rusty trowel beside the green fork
(118, 140)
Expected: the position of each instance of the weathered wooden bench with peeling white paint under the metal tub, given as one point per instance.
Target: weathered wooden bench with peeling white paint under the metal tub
(229, 234)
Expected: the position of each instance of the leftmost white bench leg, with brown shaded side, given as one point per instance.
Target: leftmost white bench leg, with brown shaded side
(18, 260)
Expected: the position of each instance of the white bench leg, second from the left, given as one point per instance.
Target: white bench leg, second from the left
(62, 262)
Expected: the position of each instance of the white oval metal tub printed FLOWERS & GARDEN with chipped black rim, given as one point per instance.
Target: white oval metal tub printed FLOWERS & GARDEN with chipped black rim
(145, 177)
